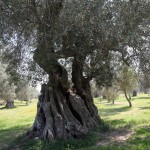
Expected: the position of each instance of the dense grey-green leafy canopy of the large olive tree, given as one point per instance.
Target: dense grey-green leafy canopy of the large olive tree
(93, 30)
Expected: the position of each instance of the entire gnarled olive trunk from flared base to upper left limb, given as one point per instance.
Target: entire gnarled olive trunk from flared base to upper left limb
(62, 113)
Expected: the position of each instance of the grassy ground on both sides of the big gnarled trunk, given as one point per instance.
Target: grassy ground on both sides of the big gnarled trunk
(130, 127)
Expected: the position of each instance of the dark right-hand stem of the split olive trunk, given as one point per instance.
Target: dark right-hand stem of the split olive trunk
(83, 87)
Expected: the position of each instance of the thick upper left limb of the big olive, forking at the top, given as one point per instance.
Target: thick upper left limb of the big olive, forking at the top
(44, 54)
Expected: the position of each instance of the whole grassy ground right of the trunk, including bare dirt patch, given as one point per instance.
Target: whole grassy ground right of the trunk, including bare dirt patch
(130, 127)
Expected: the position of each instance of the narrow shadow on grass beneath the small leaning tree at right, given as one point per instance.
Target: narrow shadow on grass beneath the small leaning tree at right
(113, 111)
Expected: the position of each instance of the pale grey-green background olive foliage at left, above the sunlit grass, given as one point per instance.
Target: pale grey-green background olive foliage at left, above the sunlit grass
(10, 91)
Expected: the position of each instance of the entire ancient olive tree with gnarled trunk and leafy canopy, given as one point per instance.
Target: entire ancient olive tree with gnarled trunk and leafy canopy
(81, 34)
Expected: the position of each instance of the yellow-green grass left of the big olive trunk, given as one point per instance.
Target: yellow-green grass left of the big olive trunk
(15, 121)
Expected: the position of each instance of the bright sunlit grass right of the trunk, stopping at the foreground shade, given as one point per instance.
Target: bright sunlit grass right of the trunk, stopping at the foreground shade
(120, 114)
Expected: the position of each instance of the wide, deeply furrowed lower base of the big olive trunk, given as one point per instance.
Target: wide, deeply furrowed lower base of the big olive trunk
(61, 113)
